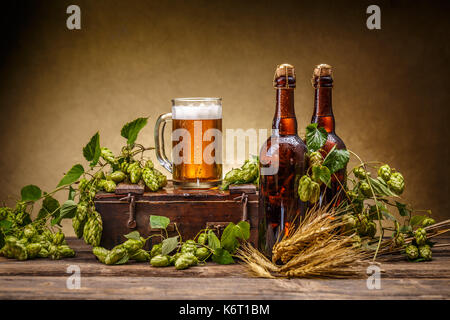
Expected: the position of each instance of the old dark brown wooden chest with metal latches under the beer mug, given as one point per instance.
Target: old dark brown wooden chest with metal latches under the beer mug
(191, 210)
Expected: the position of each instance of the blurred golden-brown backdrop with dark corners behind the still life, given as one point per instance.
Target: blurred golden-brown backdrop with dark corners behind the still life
(58, 87)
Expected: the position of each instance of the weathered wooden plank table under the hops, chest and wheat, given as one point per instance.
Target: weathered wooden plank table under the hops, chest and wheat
(46, 279)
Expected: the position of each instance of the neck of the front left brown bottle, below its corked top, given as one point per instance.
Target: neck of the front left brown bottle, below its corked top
(284, 120)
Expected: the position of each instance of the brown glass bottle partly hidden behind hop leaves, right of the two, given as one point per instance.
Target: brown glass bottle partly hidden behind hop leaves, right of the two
(323, 116)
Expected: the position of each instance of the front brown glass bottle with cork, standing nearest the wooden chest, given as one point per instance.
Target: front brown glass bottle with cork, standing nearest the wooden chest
(282, 163)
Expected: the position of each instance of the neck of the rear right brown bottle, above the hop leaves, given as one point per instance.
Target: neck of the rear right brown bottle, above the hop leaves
(323, 106)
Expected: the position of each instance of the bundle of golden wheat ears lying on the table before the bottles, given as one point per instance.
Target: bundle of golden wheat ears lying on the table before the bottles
(313, 249)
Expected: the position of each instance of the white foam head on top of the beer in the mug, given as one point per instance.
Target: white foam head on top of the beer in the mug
(199, 112)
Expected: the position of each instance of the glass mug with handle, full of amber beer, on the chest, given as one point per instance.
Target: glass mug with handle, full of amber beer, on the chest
(196, 142)
